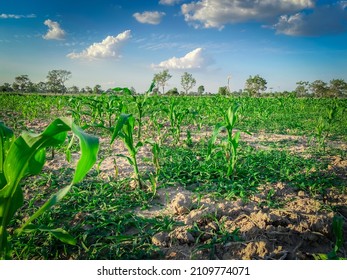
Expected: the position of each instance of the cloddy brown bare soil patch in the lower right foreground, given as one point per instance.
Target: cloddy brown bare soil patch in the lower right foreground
(297, 230)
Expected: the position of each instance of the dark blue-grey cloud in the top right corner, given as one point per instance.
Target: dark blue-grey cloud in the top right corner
(322, 20)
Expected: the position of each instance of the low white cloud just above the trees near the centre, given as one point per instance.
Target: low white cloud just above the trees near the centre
(192, 60)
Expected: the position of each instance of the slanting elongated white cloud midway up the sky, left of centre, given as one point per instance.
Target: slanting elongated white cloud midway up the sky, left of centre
(109, 47)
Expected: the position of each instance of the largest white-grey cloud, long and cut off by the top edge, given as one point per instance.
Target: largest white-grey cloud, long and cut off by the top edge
(217, 13)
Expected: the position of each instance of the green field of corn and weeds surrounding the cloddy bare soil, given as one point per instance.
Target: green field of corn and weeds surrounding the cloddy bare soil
(196, 143)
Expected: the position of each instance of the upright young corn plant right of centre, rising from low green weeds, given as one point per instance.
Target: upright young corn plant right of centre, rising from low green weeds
(232, 142)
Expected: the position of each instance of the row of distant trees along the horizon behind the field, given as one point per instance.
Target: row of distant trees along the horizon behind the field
(254, 86)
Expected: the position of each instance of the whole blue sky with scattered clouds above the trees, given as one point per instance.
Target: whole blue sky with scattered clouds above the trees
(124, 43)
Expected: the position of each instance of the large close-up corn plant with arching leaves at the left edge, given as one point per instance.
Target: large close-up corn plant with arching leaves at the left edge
(24, 156)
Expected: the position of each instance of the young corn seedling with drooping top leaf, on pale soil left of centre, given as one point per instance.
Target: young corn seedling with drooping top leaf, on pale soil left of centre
(125, 131)
